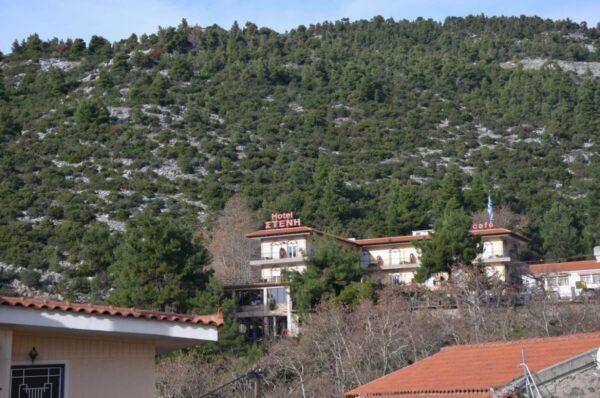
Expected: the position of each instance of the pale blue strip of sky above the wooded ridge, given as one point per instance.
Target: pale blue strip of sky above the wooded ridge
(117, 19)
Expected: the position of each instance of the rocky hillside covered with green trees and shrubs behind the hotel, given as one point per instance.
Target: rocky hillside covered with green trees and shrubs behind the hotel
(363, 128)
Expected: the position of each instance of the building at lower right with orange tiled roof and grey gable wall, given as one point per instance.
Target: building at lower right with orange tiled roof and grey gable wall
(555, 366)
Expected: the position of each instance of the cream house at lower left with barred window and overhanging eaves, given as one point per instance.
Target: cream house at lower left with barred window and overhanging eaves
(58, 349)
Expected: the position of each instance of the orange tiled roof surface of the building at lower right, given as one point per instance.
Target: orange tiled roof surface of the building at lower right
(476, 370)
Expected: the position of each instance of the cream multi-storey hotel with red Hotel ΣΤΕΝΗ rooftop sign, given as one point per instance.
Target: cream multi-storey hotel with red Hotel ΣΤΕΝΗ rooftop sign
(265, 308)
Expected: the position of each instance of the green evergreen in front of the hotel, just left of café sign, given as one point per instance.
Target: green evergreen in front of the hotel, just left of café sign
(451, 243)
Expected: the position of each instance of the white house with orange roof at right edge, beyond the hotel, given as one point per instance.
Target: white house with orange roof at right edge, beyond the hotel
(567, 280)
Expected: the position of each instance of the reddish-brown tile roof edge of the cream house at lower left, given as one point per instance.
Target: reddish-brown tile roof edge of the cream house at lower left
(90, 309)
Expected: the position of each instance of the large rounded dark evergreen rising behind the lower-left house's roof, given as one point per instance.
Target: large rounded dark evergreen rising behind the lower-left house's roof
(158, 265)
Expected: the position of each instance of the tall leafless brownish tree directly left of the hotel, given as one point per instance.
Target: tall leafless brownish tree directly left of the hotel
(230, 249)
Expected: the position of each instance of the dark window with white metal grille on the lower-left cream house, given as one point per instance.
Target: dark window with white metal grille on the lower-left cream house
(43, 381)
